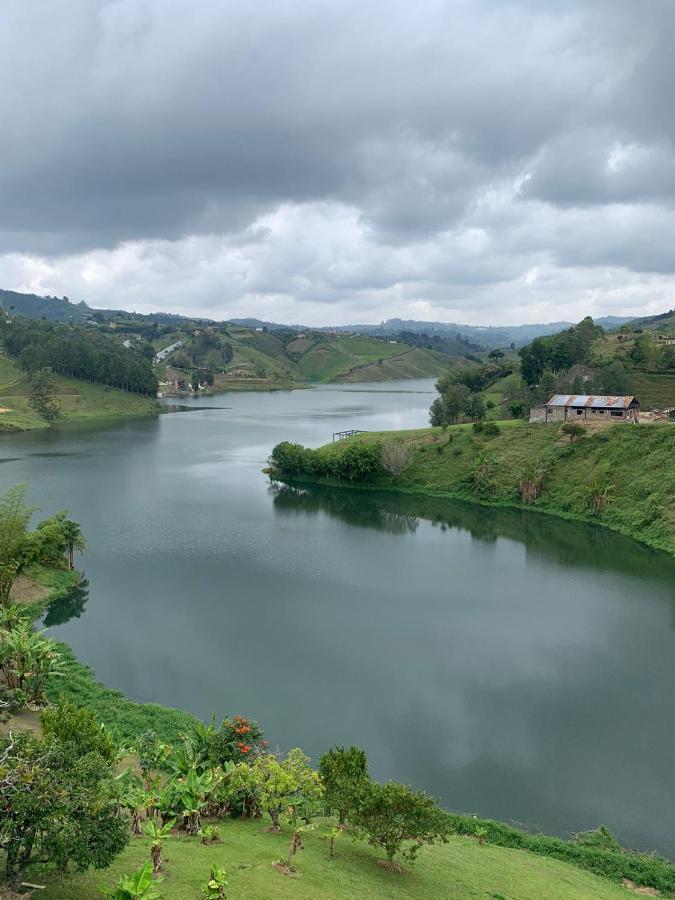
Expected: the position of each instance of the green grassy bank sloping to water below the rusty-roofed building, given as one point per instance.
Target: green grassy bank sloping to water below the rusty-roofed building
(631, 468)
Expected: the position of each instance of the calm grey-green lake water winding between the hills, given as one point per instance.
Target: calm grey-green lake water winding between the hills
(510, 664)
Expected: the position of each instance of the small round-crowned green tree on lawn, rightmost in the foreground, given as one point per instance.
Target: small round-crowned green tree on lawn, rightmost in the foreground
(399, 820)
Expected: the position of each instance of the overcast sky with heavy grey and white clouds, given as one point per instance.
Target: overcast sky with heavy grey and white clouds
(481, 161)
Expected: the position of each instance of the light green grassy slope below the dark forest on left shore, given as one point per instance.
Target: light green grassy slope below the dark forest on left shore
(79, 400)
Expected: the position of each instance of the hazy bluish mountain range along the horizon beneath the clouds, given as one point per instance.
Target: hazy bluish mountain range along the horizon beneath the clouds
(60, 309)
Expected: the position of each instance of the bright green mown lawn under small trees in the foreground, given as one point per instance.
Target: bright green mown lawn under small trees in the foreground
(459, 870)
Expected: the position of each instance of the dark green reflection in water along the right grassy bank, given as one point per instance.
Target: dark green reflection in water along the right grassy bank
(572, 544)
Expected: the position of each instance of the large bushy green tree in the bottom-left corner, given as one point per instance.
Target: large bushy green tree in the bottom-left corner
(58, 806)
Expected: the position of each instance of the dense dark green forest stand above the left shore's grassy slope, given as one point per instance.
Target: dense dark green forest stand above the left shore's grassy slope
(77, 352)
